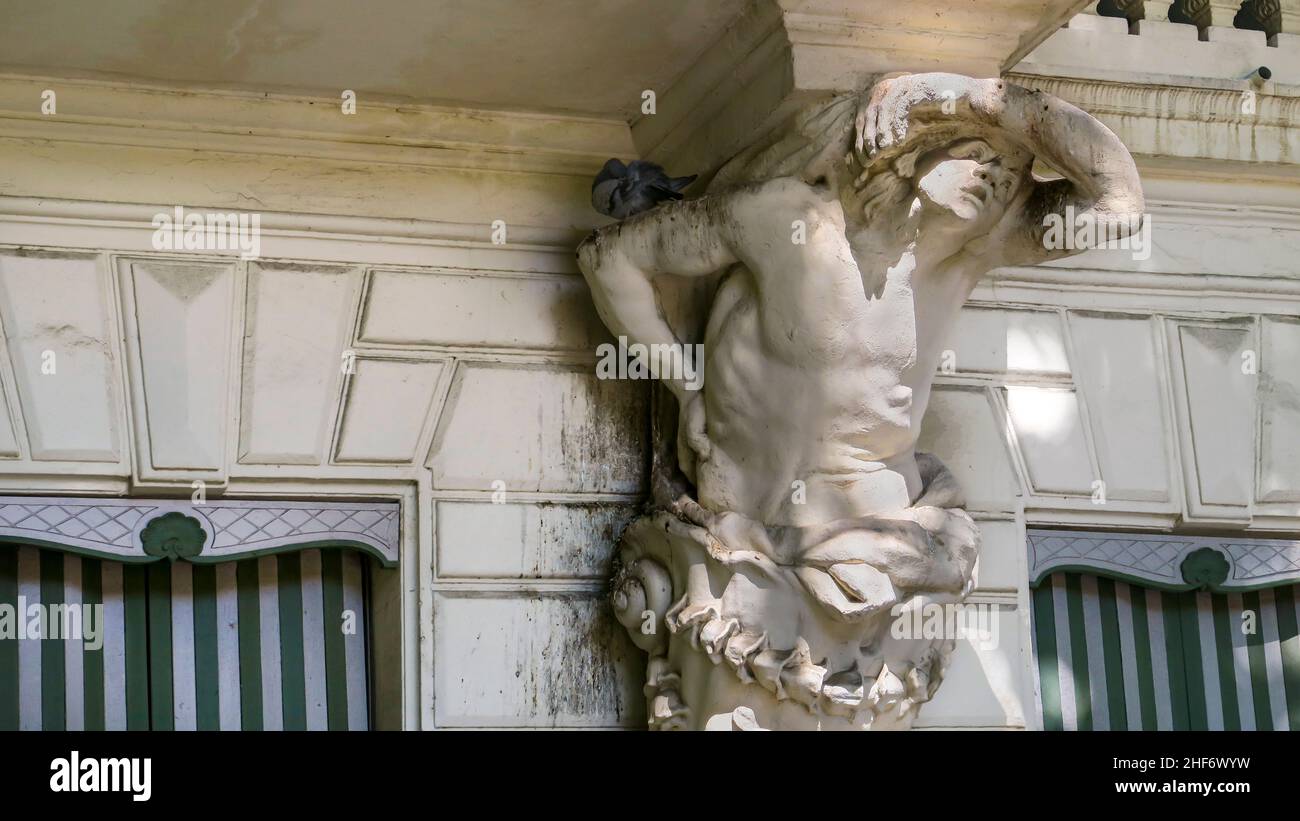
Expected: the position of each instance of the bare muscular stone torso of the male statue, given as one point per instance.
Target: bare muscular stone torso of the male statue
(852, 372)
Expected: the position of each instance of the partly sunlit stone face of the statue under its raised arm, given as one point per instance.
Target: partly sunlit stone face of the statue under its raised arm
(969, 183)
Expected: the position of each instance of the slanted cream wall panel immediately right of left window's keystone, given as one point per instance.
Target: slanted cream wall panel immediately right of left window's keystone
(300, 322)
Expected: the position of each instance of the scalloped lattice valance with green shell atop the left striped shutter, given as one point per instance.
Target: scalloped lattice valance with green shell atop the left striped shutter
(144, 531)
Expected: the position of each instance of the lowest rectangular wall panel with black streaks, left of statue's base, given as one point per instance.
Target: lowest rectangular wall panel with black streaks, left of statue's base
(536, 662)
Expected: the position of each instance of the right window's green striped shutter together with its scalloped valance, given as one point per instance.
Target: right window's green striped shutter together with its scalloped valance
(1165, 632)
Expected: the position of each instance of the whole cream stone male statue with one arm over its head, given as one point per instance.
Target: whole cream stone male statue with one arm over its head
(834, 258)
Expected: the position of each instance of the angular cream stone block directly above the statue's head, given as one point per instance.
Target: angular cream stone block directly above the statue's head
(783, 54)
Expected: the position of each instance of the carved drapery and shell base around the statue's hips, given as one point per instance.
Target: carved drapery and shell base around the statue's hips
(803, 614)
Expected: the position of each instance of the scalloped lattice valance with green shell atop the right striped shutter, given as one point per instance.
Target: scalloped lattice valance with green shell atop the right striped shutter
(1167, 562)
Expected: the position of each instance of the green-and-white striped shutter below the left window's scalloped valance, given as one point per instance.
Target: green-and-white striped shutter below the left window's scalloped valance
(257, 644)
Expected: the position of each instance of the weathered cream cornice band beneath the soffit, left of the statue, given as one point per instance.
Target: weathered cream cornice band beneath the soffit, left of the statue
(246, 123)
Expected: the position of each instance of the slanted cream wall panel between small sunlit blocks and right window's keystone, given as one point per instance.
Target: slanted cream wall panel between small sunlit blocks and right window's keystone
(1119, 371)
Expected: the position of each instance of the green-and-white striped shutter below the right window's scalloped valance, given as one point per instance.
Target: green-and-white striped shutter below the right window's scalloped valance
(1115, 655)
